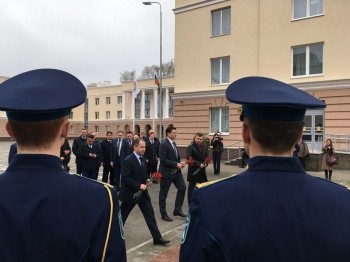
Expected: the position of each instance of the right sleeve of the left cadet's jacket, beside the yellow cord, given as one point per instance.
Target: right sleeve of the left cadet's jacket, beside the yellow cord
(115, 245)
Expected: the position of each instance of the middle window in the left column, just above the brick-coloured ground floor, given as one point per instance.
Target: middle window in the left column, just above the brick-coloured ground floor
(220, 70)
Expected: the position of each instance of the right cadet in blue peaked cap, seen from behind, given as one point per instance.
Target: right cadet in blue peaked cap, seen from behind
(273, 211)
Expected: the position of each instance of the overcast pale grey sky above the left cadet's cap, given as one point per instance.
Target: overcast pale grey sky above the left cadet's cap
(94, 40)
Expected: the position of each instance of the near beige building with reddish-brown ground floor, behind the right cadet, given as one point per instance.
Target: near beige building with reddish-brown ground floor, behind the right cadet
(300, 42)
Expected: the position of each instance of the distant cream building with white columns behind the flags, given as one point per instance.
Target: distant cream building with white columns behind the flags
(115, 107)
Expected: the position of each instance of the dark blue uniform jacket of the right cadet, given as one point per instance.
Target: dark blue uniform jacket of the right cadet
(269, 214)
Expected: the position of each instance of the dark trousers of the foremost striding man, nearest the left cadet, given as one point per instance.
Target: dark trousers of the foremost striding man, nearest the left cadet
(146, 208)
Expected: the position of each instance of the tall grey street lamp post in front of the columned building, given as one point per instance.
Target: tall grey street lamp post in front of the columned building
(160, 71)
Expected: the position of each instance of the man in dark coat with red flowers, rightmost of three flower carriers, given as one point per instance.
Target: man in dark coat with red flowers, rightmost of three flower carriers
(196, 156)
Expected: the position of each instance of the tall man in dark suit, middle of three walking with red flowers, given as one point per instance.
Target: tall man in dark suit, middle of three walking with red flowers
(170, 167)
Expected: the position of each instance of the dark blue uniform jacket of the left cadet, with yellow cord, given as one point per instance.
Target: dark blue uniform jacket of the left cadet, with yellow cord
(50, 215)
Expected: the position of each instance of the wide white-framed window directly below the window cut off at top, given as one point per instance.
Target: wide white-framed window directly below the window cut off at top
(308, 60)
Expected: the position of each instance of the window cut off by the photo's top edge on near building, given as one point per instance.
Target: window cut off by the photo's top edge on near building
(307, 8)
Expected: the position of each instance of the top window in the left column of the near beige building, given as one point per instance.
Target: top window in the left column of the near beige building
(221, 22)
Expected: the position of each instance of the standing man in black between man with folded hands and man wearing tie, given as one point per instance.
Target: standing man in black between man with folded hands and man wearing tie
(108, 170)
